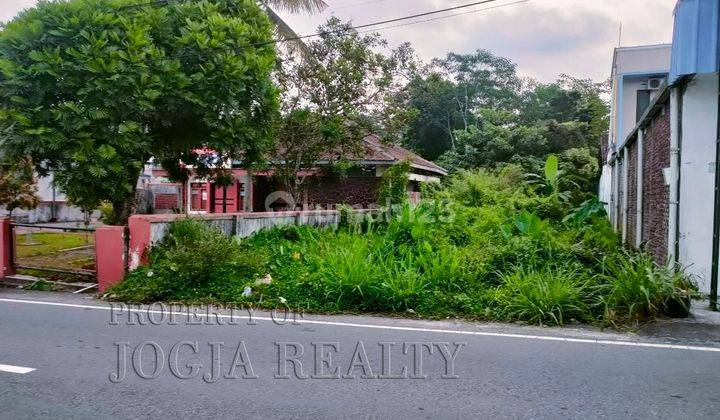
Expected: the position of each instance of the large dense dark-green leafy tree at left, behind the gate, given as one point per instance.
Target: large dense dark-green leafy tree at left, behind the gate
(90, 89)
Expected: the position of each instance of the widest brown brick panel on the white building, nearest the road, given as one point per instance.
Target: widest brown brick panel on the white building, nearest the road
(655, 193)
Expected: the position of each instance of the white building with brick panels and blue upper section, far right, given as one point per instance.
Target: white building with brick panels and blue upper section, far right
(661, 178)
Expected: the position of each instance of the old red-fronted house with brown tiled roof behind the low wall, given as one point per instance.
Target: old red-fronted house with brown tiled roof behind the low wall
(261, 191)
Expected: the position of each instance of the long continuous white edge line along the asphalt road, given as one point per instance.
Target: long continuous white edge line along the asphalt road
(395, 328)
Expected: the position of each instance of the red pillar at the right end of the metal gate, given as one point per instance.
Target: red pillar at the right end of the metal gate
(110, 255)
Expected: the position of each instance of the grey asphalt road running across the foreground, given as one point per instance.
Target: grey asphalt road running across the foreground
(474, 370)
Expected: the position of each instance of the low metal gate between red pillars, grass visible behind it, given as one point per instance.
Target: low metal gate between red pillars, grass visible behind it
(60, 251)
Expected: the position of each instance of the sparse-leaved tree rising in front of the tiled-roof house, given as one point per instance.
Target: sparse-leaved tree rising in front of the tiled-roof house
(344, 89)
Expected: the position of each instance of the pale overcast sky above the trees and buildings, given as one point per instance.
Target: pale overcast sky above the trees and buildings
(544, 37)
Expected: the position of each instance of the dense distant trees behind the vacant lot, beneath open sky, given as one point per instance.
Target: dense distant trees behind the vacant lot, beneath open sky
(474, 111)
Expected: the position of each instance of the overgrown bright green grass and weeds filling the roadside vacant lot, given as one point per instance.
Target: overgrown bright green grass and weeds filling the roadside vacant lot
(485, 247)
